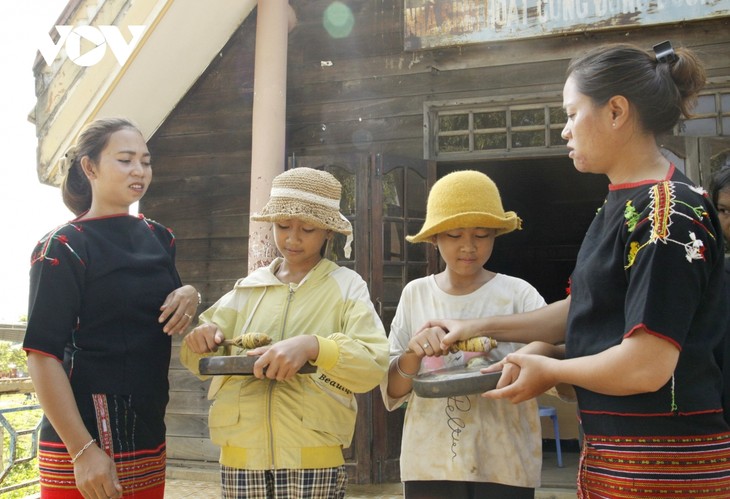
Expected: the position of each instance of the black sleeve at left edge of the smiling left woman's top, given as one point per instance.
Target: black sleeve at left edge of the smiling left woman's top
(56, 286)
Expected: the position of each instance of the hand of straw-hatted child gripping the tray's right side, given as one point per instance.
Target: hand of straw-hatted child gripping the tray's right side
(282, 360)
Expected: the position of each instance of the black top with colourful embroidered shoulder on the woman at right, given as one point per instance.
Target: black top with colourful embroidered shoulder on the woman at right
(652, 258)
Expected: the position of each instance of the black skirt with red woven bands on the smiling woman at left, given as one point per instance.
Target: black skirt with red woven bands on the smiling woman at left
(124, 431)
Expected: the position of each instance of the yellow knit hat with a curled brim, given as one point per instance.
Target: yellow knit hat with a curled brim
(465, 199)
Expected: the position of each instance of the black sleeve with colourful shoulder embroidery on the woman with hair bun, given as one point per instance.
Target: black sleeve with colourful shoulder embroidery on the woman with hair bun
(671, 252)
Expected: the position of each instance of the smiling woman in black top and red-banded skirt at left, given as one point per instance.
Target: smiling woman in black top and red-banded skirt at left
(105, 298)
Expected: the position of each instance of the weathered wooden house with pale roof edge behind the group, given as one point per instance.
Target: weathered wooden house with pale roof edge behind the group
(388, 95)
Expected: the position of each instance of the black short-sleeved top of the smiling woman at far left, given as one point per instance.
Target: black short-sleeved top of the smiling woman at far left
(95, 295)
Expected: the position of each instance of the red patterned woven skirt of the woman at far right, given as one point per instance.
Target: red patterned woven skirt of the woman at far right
(651, 467)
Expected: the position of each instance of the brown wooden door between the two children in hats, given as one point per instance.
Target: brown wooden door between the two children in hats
(384, 198)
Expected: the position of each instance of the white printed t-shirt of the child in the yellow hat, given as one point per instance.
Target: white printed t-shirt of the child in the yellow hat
(465, 438)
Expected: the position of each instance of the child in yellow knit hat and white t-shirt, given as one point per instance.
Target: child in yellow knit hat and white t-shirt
(465, 446)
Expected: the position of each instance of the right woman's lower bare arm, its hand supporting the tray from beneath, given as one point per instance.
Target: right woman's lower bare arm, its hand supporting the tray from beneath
(642, 363)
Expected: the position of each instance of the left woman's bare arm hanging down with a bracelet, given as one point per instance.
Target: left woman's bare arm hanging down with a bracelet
(94, 471)
